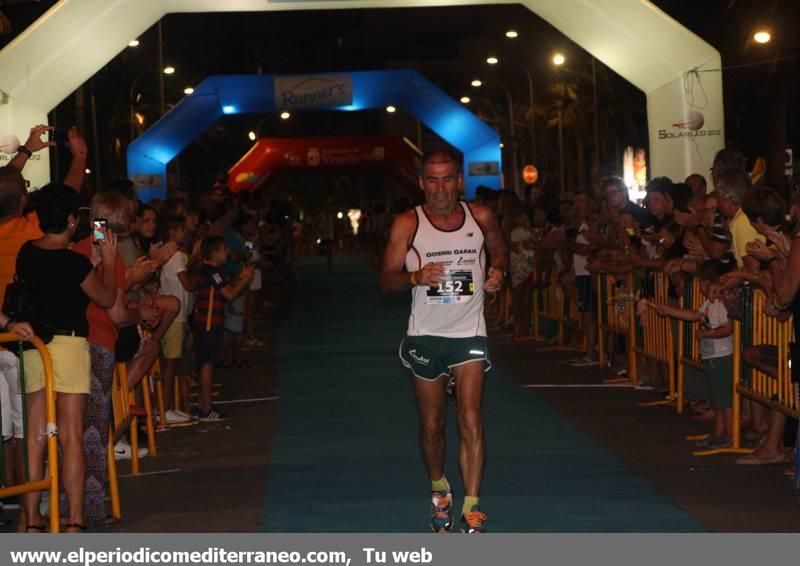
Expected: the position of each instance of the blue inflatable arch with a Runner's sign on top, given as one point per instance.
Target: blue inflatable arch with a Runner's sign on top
(217, 96)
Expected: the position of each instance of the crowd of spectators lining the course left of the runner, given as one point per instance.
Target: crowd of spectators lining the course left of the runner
(118, 281)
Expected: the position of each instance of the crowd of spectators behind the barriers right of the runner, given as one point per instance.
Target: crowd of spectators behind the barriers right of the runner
(733, 238)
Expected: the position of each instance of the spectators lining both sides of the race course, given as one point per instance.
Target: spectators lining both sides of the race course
(180, 282)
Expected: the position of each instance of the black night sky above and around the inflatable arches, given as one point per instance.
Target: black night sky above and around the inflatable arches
(449, 45)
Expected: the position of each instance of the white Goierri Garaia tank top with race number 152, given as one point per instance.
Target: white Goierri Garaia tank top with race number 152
(453, 309)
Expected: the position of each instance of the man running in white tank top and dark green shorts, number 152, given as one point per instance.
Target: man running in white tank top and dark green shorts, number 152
(441, 245)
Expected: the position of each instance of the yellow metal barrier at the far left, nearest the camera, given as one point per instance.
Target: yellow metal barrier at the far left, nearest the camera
(50, 482)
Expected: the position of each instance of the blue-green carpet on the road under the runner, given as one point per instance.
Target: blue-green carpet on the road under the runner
(345, 456)
